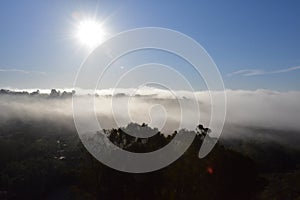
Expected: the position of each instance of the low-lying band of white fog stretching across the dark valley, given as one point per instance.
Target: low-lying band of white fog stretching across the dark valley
(246, 110)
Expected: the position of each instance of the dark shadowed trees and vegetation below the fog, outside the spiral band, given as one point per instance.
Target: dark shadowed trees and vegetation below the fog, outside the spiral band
(40, 160)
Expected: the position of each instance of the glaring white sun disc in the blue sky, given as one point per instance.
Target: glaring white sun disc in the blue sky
(90, 33)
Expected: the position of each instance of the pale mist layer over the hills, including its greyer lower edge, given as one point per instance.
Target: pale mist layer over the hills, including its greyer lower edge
(256, 117)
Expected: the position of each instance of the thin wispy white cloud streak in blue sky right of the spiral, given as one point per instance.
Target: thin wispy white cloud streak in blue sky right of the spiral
(255, 72)
